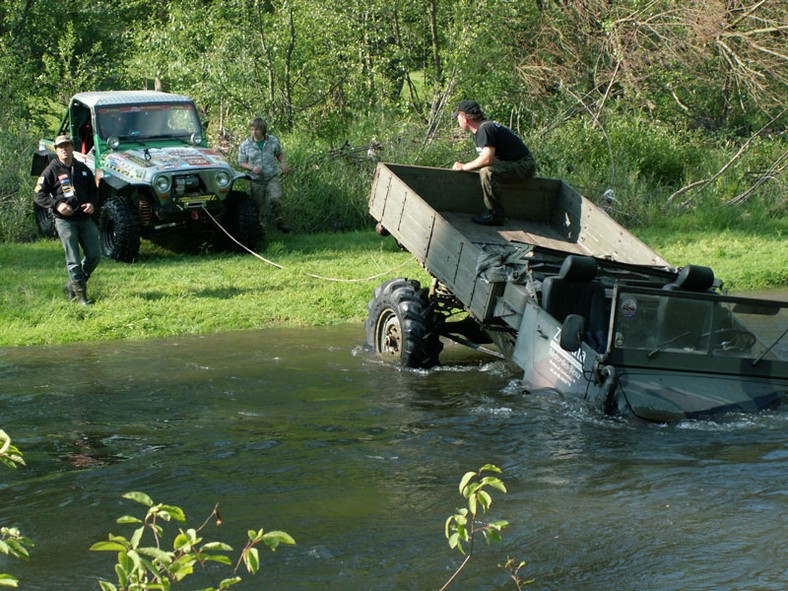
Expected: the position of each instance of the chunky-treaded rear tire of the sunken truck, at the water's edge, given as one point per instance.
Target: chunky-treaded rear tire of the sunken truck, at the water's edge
(401, 324)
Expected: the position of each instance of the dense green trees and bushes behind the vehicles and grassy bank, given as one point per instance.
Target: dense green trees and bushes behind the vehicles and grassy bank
(647, 98)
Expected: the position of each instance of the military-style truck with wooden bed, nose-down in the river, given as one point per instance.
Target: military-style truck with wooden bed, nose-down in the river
(582, 306)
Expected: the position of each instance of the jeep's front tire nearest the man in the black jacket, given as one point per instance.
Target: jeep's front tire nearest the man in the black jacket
(119, 229)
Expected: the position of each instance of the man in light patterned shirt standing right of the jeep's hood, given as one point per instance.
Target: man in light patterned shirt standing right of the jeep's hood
(262, 155)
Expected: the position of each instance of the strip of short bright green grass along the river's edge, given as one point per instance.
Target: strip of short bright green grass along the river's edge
(169, 294)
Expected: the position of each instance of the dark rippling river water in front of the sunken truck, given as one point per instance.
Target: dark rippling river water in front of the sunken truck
(304, 431)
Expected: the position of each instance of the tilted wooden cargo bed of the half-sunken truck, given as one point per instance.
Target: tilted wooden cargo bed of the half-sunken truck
(428, 211)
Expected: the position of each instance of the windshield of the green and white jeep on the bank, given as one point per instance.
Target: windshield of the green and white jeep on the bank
(148, 121)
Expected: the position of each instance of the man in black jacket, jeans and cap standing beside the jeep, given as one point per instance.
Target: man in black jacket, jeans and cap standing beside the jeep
(68, 188)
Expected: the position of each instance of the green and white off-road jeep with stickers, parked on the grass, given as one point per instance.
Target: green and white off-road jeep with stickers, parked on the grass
(156, 174)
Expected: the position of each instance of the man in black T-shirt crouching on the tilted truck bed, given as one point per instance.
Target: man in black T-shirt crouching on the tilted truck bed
(502, 158)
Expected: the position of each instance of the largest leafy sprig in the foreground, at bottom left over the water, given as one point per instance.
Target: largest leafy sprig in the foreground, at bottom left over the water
(145, 560)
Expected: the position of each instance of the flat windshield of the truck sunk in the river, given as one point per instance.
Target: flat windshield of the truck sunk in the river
(699, 331)
